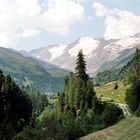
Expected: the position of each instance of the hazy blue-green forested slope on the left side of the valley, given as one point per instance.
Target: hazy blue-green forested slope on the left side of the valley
(27, 70)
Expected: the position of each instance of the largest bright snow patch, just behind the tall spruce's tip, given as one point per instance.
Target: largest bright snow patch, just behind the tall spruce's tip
(87, 44)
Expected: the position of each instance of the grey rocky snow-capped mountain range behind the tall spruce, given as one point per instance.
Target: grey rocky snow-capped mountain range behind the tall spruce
(98, 52)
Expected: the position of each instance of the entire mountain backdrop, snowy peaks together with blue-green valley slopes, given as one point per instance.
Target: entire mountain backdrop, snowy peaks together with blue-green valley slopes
(43, 67)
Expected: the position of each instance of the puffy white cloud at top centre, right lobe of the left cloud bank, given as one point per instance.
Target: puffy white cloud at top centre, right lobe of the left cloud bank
(61, 14)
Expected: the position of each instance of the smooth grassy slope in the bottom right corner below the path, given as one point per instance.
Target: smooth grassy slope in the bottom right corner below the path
(127, 129)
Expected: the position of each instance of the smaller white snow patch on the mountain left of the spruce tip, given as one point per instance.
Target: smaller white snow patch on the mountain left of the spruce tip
(57, 51)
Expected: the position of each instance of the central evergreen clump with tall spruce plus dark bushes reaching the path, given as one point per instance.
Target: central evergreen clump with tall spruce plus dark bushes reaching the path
(78, 110)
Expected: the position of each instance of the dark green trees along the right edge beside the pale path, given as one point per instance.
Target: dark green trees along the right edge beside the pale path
(133, 93)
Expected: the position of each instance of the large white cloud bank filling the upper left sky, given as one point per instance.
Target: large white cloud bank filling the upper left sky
(26, 18)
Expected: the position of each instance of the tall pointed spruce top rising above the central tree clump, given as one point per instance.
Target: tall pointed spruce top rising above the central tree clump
(80, 69)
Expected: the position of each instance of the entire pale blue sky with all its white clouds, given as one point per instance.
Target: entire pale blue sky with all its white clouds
(31, 24)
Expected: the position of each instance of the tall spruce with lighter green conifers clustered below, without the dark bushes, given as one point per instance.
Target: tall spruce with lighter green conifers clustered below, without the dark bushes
(79, 95)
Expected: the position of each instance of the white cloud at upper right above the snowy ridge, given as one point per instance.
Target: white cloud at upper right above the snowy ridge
(118, 23)
